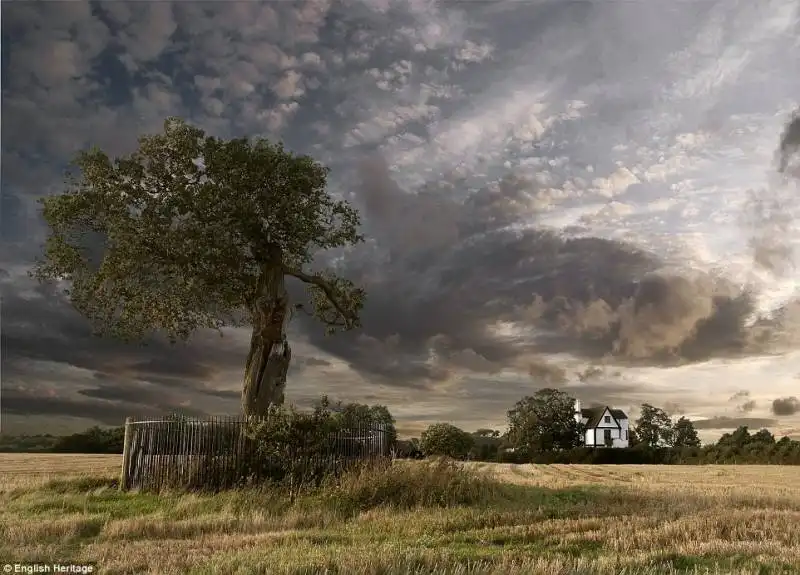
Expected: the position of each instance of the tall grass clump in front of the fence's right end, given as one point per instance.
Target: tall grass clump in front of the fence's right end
(408, 484)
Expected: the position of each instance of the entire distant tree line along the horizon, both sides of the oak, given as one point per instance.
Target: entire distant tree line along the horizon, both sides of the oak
(541, 429)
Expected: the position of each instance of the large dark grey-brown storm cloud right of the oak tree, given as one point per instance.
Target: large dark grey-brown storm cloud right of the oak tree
(455, 262)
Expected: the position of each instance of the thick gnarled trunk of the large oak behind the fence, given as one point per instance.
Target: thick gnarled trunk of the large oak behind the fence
(268, 360)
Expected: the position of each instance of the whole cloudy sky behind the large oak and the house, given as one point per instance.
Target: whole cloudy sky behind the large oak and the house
(581, 194)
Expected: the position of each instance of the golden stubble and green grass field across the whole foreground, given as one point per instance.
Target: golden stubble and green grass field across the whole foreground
(413, 518)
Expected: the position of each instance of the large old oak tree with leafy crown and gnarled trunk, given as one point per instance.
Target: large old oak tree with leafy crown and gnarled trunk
(192, 232)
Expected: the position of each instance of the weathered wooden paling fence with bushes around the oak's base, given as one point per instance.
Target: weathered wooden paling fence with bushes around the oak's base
(217, 452)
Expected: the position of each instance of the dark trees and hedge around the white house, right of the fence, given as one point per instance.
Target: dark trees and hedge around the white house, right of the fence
(542, 429)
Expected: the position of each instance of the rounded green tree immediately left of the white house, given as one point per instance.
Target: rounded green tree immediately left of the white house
(543, 422)
